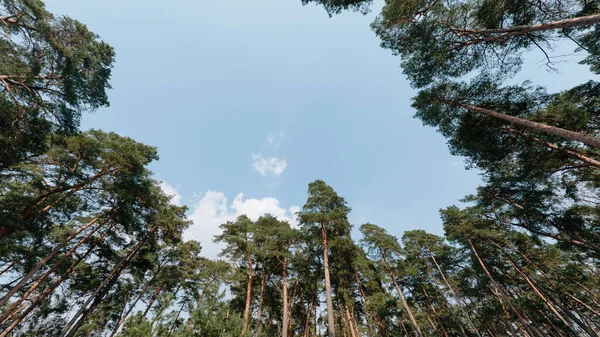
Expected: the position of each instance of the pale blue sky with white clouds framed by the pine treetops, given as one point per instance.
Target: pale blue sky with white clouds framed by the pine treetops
(228, 90)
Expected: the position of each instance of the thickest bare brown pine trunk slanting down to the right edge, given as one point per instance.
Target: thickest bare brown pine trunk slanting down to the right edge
(552, 130)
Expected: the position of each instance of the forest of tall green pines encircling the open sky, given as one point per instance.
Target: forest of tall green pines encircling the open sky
(90, 245)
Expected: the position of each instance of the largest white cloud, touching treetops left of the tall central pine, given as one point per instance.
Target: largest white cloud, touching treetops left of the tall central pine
(213, 210)
